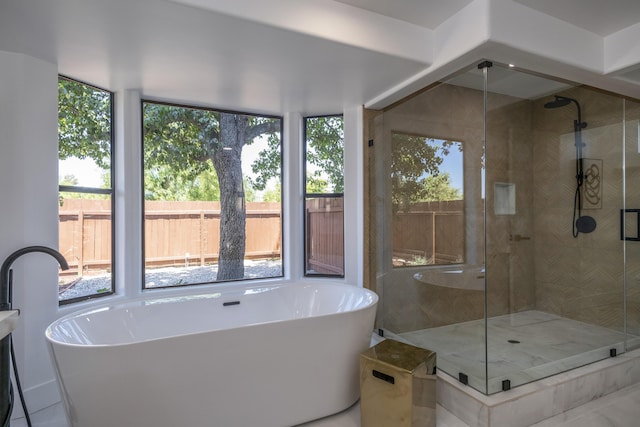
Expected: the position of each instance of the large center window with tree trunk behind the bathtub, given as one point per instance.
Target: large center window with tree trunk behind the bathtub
(212, 198)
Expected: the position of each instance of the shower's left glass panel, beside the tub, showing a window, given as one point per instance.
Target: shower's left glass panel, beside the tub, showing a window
(427, 213)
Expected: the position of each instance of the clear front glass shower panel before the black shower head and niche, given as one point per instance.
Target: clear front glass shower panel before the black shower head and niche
(554, 257)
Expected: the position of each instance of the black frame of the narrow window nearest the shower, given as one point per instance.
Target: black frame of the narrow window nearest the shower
(307, 196)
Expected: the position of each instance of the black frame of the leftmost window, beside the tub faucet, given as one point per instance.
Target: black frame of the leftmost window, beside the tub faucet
(96, 190)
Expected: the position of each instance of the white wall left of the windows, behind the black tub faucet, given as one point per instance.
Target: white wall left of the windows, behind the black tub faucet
(28, 193)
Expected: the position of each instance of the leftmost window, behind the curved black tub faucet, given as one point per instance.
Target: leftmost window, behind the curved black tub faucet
(85, 132)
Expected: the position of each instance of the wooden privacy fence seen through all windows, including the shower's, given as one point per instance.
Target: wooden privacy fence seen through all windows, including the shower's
(188, 233)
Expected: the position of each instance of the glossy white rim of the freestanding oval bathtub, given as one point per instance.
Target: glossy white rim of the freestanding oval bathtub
(122, 303)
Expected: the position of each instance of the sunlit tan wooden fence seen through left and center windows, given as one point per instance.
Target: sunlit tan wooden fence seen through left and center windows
(176, 233)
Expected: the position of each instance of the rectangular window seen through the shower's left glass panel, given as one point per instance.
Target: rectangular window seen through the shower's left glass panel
(427, 200)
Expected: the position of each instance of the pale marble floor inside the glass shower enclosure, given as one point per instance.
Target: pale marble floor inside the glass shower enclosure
(523, 347)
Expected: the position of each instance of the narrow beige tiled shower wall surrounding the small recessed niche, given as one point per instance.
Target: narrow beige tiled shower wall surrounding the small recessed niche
(509, 238)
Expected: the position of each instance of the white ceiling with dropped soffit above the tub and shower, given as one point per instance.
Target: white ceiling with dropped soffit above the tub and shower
(321, 56)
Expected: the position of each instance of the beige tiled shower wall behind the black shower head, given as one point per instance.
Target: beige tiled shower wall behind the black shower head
(581, 278)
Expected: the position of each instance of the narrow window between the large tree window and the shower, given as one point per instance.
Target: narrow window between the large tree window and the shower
(324, 196)
